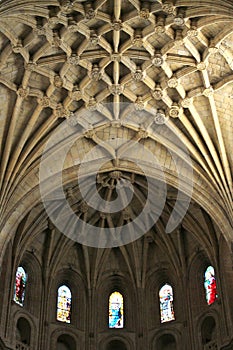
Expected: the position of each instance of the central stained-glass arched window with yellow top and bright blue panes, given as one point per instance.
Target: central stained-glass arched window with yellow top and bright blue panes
(116, 305)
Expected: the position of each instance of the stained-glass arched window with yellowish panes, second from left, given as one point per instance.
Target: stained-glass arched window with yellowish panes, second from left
(63, 304)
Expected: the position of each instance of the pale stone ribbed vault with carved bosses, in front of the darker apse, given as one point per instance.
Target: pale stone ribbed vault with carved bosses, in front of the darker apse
(136, 70)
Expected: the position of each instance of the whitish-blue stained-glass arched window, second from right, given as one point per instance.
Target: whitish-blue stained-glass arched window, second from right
(166, 303)
